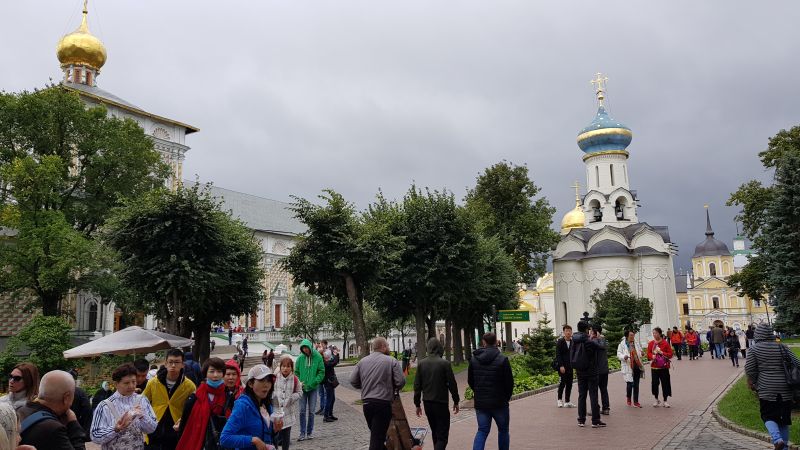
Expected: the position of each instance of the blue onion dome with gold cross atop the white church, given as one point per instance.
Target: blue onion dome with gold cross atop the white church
(604, 134)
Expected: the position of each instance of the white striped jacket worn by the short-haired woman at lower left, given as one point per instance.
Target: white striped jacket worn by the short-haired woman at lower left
(109, 411)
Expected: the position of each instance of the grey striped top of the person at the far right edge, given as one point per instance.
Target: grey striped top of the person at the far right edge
(764, 367)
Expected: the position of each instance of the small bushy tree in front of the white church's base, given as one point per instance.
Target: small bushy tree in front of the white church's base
(617, 309)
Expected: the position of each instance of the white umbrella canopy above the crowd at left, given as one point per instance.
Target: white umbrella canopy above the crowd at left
(127, 341)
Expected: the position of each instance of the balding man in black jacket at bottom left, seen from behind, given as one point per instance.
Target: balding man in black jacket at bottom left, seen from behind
(48, 422)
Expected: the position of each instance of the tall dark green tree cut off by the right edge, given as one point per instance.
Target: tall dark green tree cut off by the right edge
(771, 219)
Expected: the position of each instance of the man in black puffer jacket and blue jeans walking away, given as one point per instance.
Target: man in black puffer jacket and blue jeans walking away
(489, 376)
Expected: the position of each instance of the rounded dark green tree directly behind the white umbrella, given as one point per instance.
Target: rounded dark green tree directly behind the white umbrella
(188, 262)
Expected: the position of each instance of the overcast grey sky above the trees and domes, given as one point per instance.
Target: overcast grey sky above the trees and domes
(292, 97)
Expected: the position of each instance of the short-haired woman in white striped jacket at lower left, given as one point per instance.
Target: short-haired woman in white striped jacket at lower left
(121, 420)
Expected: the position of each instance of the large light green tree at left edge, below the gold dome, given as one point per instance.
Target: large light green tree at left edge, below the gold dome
(63, 167)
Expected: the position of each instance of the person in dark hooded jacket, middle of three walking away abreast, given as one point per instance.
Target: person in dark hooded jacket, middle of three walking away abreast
(433, 381)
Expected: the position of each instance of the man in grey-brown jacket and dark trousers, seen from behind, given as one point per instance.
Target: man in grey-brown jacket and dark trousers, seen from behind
(378, 376)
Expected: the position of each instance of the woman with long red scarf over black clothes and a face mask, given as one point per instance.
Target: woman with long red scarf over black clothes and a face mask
(204, 411)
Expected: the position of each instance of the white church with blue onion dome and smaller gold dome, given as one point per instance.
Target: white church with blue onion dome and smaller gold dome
(602, 238)
